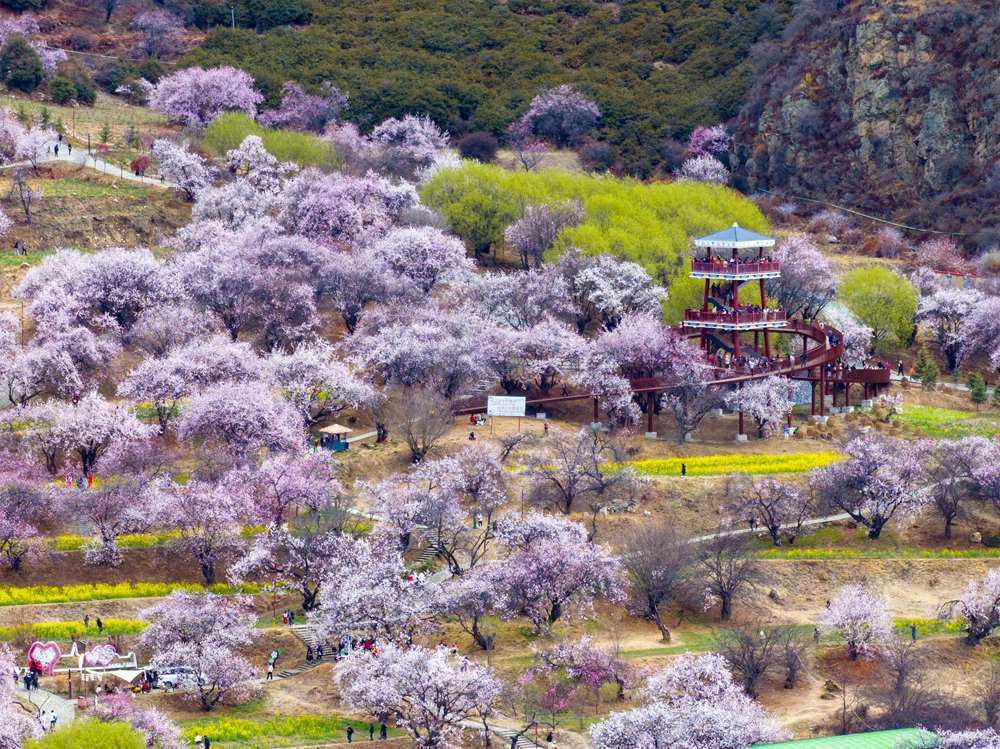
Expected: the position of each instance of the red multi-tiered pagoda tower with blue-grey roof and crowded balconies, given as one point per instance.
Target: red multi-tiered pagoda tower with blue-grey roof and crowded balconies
(733, 257)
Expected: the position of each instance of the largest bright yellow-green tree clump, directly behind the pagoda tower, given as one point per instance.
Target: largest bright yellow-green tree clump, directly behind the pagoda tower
(650, 224)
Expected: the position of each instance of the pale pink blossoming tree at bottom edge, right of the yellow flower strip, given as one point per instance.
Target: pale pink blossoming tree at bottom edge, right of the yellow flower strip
(428, 693)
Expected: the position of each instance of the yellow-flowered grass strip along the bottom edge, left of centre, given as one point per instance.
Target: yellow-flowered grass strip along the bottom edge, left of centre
(269, 733)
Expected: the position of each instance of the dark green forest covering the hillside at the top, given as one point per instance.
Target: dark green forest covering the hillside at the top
(656, 68)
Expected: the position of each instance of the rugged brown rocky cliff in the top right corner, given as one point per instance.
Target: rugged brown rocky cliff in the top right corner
(889, 106)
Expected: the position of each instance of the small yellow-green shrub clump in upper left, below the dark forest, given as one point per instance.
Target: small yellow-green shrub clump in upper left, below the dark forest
(227, 131)
